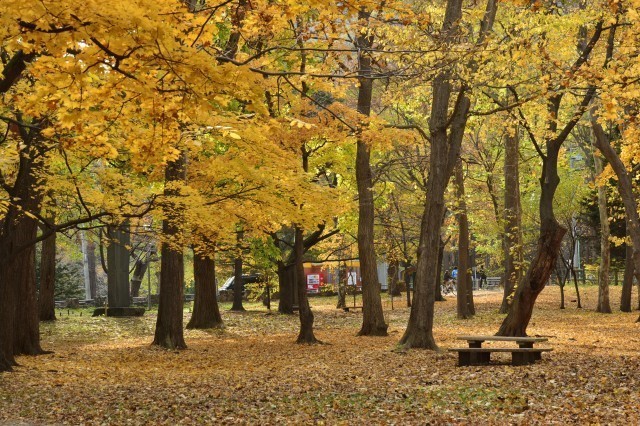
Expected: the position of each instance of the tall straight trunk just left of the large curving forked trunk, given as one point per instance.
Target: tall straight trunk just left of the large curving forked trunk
(373, 323)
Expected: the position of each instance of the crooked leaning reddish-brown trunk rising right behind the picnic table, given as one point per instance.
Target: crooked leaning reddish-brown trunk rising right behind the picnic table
(543, 263)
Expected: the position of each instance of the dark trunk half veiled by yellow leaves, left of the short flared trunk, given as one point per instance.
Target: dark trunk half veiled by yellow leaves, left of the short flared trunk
(169, 333)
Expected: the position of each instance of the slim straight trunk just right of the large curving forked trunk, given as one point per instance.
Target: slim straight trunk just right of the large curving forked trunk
(465, 306)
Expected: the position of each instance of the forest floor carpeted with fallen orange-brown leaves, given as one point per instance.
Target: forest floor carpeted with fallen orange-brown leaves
(104, 371)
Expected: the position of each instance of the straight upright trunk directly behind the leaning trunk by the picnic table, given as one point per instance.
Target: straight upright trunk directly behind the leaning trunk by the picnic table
(512, 244)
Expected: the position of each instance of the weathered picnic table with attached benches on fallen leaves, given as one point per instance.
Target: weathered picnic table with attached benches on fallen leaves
(475, 354)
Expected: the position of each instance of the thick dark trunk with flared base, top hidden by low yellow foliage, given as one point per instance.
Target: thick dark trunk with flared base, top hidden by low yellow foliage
(206, 313)
